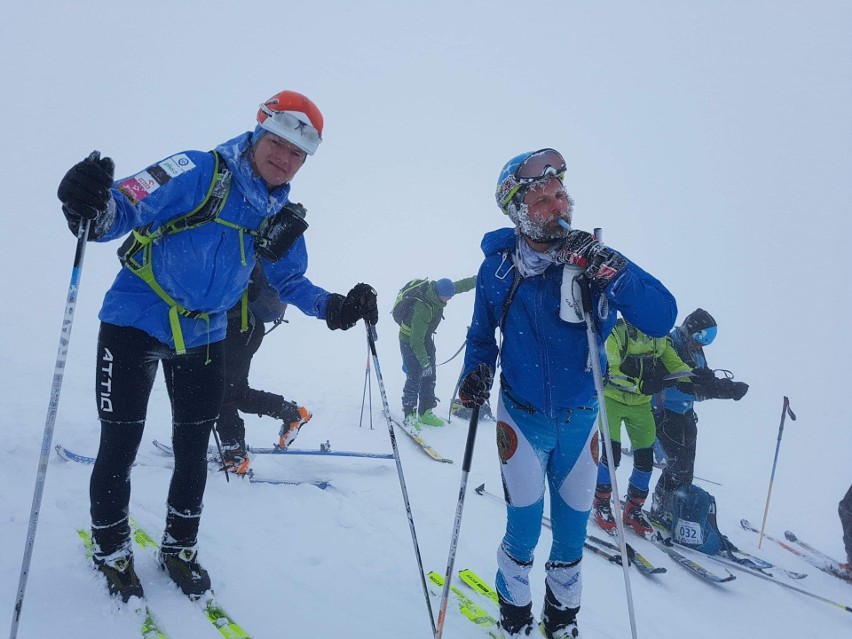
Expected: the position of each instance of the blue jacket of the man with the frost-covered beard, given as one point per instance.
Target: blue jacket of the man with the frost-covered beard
(544, 360)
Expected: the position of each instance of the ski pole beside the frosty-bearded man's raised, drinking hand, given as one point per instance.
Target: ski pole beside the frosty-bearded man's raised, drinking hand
(585, 287)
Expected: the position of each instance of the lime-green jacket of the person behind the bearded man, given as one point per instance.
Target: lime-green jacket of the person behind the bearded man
(630, 348)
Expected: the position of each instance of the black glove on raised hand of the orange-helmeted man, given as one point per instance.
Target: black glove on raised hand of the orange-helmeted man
(84, 192)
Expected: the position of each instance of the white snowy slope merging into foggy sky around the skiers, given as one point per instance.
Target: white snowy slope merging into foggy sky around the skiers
(711, 141)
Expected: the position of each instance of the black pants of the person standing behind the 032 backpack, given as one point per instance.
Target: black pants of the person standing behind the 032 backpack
(677, 435)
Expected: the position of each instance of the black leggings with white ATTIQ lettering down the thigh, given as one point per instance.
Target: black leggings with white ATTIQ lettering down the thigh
(126, 368)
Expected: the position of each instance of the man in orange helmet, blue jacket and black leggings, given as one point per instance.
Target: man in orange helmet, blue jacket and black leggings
(200, 222)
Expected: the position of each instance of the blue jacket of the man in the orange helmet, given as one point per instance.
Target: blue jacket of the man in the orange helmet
(201, 268)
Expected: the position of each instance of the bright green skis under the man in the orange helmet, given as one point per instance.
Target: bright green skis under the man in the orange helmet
(150, 626)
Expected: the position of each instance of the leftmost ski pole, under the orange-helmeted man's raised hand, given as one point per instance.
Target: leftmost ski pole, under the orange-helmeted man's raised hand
(53, 406)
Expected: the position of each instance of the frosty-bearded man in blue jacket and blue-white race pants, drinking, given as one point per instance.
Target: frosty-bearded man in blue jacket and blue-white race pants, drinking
(547, 408)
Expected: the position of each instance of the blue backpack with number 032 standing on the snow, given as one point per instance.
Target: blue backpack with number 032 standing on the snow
(694, 520)
